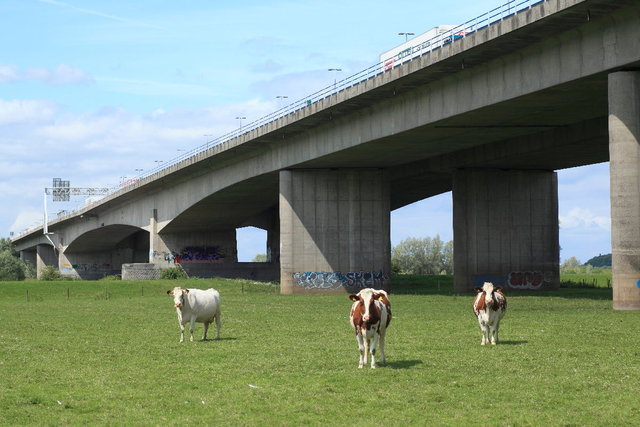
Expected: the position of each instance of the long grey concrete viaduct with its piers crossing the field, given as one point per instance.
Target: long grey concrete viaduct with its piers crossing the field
(490, 116)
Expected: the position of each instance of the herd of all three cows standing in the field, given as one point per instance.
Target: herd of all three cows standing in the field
(370, 315)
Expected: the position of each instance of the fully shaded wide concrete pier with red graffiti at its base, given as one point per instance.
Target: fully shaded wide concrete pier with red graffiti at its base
(505, 229)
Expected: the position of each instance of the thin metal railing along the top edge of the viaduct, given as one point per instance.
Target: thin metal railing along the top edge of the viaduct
(453, 35)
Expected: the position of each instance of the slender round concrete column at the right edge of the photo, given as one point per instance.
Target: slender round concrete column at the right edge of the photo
(624, 154)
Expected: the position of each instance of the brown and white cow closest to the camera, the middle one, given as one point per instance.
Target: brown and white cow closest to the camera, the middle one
(370, 316)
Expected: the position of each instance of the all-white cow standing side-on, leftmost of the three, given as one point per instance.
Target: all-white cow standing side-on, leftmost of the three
(196, 305)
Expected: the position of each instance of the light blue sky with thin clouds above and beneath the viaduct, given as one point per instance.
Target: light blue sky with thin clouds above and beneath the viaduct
(97, 92)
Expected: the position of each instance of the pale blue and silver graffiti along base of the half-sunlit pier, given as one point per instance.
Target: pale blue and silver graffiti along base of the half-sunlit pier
(337, 280)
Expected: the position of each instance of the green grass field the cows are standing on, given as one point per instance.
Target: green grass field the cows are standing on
(108, 353)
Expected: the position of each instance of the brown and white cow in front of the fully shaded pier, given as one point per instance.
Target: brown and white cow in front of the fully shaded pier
(489, 307)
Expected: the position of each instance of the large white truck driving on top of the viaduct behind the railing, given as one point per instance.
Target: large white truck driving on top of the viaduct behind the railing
(435, 37)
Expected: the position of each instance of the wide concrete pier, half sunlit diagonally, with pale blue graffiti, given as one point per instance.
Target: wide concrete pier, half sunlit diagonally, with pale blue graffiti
(334, 230)
